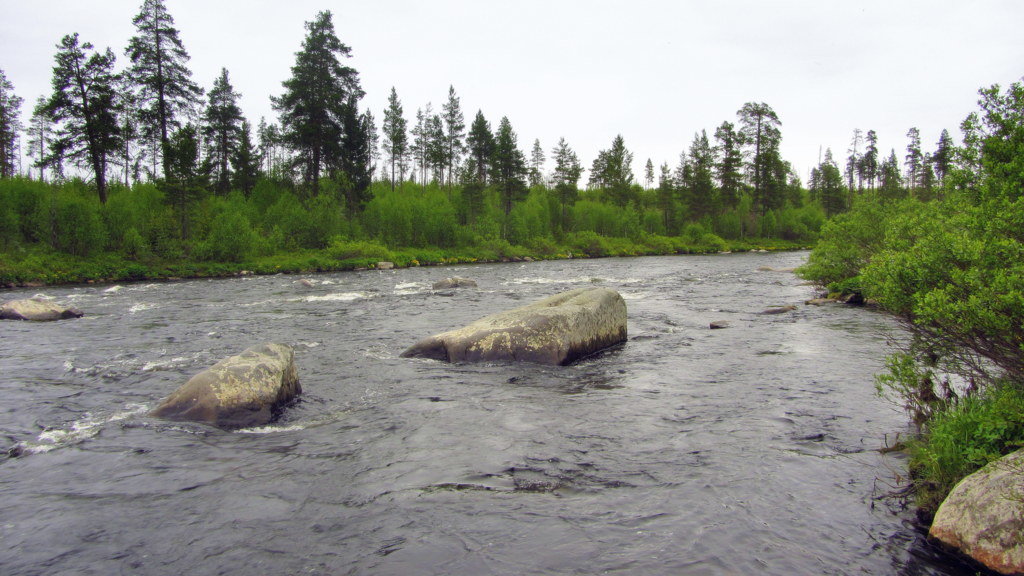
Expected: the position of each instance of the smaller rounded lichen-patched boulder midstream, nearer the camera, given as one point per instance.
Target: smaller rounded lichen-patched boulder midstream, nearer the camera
(238, 392)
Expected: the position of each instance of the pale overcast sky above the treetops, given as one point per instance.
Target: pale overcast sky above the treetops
(654, 72)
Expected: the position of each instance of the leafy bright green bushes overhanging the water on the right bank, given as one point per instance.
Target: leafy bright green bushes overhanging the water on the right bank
(946, 257)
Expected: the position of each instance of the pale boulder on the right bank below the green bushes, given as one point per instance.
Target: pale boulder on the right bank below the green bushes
(984, 517)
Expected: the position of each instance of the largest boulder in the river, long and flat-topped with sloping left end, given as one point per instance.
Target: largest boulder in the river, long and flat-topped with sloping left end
(558, 331)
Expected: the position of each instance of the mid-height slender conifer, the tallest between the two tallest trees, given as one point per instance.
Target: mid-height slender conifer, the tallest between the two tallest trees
(223, 131)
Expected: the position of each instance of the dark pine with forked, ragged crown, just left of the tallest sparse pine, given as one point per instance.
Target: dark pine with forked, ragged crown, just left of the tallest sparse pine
(84, 106)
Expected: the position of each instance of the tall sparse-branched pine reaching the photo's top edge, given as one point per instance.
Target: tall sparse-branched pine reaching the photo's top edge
(160, 72)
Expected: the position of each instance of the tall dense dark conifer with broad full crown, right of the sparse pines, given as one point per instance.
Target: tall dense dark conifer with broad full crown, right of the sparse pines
(314, 106)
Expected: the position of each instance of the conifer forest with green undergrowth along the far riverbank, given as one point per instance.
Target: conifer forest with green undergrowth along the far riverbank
(138, 172)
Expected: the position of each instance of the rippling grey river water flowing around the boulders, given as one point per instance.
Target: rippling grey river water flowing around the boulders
(750, 450)
